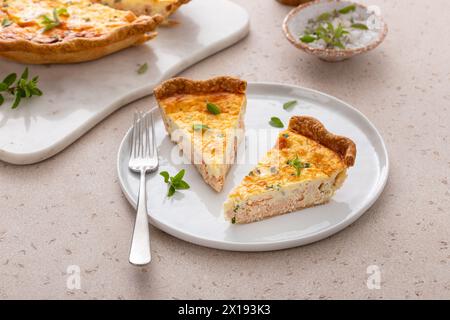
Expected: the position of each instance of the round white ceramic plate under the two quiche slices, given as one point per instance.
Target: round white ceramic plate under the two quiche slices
(196, 215)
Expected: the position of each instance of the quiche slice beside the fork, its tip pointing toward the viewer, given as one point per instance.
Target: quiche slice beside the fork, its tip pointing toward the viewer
(206, 120)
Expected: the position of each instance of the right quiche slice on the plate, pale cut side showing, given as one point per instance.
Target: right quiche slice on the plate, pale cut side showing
(304, 169)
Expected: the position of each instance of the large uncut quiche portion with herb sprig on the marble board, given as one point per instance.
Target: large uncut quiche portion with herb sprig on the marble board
(68, 31)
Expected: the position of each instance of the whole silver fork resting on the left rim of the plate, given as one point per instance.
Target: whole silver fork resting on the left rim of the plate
(143, 159)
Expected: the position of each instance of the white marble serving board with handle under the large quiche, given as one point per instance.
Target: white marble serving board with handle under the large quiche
(78, 96)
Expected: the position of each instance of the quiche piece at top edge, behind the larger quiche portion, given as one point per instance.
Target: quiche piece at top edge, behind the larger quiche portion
(146, 7)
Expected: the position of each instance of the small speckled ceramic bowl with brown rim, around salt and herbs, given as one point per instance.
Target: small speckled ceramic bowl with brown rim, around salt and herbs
(296, 21)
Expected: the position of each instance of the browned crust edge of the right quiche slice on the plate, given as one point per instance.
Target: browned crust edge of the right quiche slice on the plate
(315, 130)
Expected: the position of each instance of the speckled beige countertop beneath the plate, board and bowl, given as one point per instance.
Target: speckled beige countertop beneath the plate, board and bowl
(69, 210)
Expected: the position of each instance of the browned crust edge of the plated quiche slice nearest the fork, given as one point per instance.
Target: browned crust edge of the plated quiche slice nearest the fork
(176, 86)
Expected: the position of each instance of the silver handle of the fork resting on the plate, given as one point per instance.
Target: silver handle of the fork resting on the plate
(140, 244)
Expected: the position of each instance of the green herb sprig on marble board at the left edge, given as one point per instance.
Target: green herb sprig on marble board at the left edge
(20, 88)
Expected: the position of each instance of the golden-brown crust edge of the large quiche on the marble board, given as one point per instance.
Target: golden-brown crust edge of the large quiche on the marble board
(141, 26)
